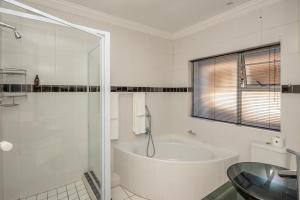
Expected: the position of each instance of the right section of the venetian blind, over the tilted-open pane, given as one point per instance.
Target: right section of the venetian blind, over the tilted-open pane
(260, 88)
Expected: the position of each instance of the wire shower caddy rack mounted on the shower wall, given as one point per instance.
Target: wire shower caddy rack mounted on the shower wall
(8, 91)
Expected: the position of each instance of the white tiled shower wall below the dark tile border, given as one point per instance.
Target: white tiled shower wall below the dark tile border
(52, 142)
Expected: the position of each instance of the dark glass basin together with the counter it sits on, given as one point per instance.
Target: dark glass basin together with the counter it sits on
(252, 181)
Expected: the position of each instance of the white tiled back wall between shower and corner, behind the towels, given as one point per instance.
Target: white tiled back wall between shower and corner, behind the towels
(137, 59)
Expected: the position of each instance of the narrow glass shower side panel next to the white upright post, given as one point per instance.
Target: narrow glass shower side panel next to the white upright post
(97, 148)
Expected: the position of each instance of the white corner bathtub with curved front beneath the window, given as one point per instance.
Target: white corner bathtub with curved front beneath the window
(181, 168)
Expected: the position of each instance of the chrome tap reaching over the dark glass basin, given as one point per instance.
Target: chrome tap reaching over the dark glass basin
(293, 173)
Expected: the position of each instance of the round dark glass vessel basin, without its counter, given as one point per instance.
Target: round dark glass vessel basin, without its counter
(261, 181)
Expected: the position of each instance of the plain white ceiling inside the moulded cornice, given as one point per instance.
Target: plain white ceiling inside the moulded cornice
(166, 15)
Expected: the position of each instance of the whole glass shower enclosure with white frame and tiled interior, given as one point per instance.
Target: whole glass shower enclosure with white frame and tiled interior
(54, 141)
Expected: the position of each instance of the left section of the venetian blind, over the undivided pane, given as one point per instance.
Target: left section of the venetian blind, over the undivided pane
(215, 88)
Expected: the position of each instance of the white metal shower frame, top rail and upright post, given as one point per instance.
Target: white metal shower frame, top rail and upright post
(104, 43)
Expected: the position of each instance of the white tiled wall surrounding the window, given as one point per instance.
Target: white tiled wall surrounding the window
(279, 22)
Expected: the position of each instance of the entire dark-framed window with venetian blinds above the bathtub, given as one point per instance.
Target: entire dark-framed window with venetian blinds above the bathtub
(241, 88)
